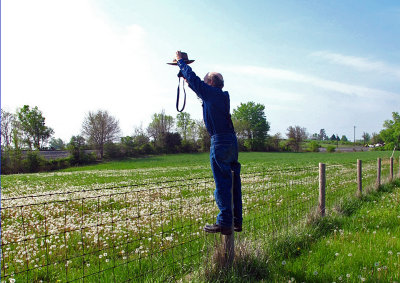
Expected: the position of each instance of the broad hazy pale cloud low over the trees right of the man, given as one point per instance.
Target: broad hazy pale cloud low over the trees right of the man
(293, 98)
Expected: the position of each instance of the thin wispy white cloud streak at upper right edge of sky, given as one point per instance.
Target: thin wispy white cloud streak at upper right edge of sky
(359, 63)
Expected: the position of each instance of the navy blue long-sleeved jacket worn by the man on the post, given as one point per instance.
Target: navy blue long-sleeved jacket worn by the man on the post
(216, 102)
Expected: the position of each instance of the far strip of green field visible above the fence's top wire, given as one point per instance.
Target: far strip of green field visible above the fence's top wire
(166, 168)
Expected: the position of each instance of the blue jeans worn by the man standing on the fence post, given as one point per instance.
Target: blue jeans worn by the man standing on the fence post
(224, 160)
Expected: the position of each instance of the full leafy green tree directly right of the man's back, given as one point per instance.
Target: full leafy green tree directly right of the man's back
(251, 124)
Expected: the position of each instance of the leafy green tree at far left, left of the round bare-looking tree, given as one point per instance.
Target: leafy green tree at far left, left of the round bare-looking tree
(32, 124)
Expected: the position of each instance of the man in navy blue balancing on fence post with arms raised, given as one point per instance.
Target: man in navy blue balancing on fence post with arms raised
(224, 147)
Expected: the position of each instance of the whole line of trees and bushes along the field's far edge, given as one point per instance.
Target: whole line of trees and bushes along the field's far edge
(24, 133)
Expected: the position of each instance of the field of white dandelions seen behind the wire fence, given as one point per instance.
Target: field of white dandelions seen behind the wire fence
(146, 224)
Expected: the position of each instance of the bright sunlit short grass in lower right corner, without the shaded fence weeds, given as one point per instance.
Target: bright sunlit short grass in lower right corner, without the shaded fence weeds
(360, 243)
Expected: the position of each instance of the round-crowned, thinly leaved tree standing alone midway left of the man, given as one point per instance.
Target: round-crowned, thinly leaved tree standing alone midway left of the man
(100, 128)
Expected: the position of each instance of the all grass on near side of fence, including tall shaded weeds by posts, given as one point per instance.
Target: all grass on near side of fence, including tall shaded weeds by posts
(357, 242)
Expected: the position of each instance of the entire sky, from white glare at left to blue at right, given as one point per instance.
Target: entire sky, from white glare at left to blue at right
(326, 65)
